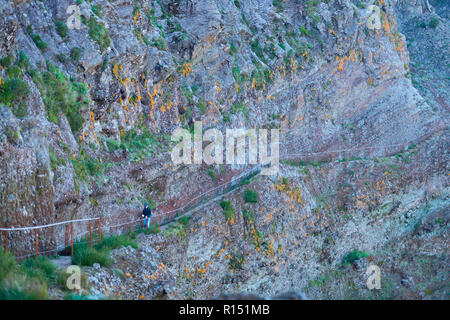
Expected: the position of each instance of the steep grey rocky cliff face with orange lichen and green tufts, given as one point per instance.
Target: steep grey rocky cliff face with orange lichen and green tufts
(88, 112)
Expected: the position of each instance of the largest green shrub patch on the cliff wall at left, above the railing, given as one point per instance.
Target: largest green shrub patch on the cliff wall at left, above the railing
(62, 95)
